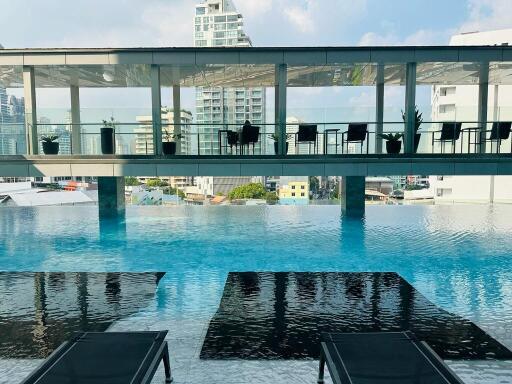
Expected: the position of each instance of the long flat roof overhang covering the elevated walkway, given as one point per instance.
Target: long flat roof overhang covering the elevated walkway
(248, 67)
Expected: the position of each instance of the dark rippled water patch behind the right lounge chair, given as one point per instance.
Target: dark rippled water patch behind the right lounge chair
(282, 315)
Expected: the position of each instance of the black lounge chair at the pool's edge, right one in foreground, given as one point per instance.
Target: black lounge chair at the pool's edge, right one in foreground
(382, 357)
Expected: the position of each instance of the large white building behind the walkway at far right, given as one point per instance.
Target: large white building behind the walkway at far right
(459, 103)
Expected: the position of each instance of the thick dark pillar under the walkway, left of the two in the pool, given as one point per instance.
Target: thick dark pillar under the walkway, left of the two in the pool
(111, 200)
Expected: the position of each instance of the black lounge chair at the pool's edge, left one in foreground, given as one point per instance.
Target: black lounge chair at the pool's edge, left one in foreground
(105, 357)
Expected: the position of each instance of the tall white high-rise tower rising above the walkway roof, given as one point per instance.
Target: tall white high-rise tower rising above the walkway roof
(218, 24)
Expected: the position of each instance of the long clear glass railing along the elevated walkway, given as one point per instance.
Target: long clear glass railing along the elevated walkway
(220, 139)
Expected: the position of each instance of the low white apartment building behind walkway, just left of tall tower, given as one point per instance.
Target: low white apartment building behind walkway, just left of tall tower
(144, 132)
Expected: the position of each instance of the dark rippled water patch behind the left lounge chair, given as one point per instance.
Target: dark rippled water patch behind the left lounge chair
(38, 311)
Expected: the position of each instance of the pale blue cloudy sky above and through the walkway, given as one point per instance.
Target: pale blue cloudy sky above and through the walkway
(133, 23)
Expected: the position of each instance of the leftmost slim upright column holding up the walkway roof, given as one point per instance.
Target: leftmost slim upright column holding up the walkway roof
(29, 85)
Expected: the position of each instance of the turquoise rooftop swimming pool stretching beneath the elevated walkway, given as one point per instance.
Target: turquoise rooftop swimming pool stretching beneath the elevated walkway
(459, 257)
